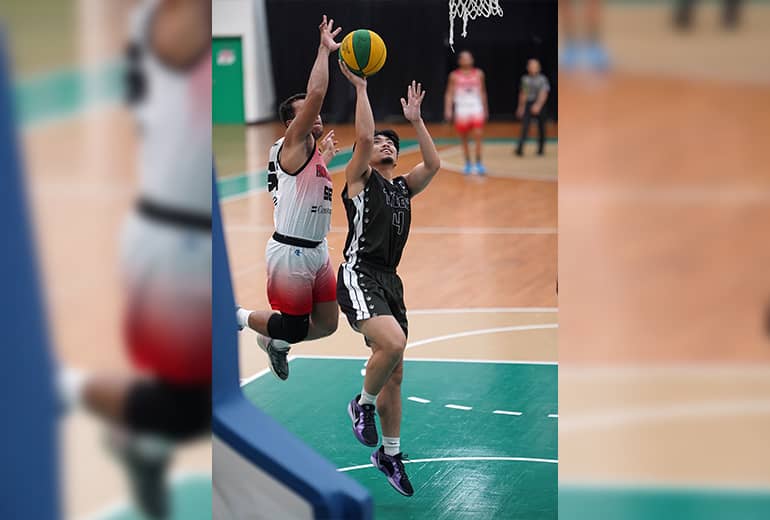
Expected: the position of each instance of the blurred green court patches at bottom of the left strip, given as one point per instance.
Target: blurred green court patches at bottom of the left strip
(191, 500)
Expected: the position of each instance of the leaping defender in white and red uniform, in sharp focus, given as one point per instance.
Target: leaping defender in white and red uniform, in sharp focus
(301, 285)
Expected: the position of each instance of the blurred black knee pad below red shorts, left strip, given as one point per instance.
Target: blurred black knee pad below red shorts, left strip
(179, 412)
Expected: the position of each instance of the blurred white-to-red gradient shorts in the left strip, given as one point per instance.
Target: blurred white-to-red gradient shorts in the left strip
(167, 319)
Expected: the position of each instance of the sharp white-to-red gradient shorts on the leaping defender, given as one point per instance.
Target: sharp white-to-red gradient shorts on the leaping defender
(299, 277)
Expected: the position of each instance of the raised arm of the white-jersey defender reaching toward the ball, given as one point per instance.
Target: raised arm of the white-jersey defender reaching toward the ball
(302, 125)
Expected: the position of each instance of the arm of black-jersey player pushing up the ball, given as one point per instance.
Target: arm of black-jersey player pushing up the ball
(357, 170)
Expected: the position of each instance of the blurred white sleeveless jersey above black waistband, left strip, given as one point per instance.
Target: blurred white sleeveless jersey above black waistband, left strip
(173, 109)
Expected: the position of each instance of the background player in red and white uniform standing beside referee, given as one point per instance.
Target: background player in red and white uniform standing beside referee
(465, 103)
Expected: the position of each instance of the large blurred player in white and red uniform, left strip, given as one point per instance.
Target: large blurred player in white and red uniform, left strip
(166, 255)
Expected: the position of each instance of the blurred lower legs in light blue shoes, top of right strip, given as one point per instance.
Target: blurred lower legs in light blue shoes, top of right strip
(590, 49)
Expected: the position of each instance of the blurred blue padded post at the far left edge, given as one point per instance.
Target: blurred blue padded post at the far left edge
(28, 442)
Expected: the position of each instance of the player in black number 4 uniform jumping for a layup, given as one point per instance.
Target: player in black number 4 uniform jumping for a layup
(370, 293)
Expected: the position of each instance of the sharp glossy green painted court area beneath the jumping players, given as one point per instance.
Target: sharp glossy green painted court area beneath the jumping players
(312, 405)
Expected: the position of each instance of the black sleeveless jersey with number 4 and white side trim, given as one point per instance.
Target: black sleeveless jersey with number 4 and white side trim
(378, 222)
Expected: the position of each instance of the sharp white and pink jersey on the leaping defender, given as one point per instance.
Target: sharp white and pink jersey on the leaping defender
(302, 199)
